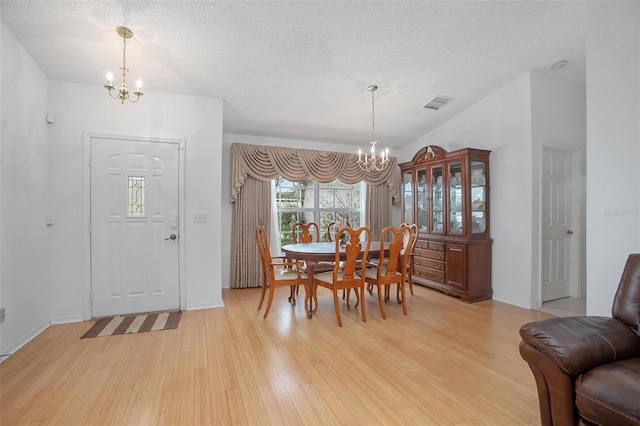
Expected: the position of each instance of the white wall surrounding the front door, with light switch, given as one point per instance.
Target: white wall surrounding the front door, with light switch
(87, 108)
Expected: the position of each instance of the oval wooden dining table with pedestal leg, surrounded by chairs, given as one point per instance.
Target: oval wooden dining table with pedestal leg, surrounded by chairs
(316, 252)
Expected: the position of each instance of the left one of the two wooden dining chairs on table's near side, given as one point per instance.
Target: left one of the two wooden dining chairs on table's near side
(351, 274)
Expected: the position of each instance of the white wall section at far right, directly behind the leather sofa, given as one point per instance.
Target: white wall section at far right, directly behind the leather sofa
(613, 147)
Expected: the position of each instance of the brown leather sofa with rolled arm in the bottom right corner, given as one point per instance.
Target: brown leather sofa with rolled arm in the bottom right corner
(587, 369)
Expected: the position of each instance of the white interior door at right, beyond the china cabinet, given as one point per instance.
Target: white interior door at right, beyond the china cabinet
(556, 224)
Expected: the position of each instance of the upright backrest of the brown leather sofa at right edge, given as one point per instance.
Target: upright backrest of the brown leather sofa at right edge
(626, 303)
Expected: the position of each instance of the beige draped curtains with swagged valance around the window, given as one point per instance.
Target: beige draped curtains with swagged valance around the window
(254, 166)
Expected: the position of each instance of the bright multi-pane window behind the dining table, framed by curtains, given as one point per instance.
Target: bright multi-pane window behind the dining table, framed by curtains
(321, 203)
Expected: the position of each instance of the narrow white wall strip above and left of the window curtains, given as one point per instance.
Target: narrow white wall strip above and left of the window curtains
(227, 206)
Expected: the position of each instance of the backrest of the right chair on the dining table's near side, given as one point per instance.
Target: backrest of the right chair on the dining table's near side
(393, 267)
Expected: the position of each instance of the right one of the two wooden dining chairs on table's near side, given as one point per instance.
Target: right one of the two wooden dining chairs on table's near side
(391, 268)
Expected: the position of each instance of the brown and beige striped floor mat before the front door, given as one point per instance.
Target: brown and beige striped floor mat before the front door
(134, 324)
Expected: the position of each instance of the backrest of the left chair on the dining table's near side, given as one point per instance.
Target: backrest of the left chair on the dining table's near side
(353, 249)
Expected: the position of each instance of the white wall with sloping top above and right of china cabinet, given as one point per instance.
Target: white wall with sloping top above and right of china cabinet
(501, 122)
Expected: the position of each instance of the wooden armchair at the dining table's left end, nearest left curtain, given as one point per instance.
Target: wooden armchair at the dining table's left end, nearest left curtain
(277, 271)
